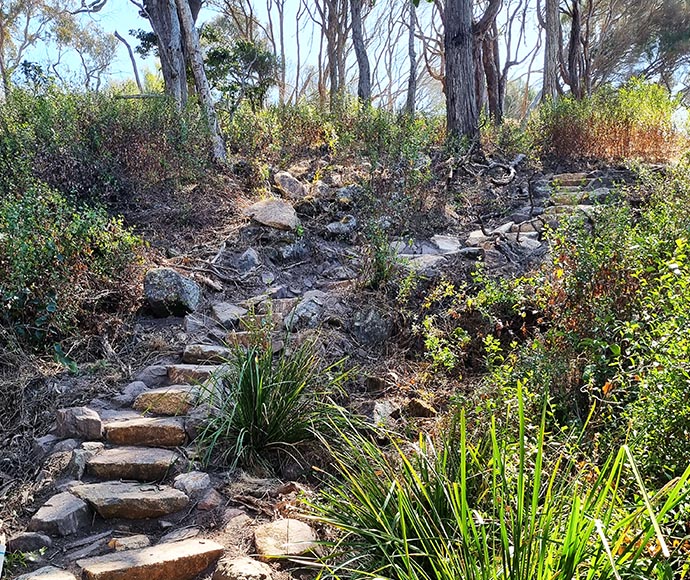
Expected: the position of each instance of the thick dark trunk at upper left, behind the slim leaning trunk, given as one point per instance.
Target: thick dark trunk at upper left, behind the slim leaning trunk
(166, 25)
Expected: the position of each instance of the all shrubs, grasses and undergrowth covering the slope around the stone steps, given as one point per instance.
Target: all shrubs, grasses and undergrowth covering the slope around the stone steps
(560, 387)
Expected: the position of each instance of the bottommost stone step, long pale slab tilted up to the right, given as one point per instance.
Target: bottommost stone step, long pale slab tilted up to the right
(176, 561)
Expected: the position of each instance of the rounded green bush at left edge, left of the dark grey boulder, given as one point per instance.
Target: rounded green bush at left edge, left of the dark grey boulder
(61, 265)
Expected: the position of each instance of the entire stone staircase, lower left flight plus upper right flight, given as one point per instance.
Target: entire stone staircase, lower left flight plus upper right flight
(130, 477)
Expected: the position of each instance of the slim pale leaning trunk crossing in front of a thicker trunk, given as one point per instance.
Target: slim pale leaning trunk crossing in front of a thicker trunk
(191, 39)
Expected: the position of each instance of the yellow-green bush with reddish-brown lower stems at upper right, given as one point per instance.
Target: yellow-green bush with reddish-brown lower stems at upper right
(633, 122)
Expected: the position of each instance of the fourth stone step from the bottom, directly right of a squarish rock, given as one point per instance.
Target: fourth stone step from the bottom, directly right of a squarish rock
(147, 431)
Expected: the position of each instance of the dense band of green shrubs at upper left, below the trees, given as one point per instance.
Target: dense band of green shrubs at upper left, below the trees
(98, 146)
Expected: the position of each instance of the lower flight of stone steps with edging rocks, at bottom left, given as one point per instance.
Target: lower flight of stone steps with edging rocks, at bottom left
(129, 472)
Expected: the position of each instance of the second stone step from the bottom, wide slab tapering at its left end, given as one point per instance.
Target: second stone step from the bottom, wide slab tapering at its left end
(131, 501)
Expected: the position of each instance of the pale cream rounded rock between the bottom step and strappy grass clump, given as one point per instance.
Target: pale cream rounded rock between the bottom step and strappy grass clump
(283, 538)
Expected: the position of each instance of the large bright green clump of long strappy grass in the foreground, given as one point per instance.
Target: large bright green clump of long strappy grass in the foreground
(495, 509)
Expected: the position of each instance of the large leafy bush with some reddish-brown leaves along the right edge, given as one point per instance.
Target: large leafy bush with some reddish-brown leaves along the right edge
(610, 343)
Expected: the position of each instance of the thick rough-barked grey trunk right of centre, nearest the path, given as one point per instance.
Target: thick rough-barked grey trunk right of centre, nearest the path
(461, 99)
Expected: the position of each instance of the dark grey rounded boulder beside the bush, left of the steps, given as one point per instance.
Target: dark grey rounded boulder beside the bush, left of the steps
(169, 293)
